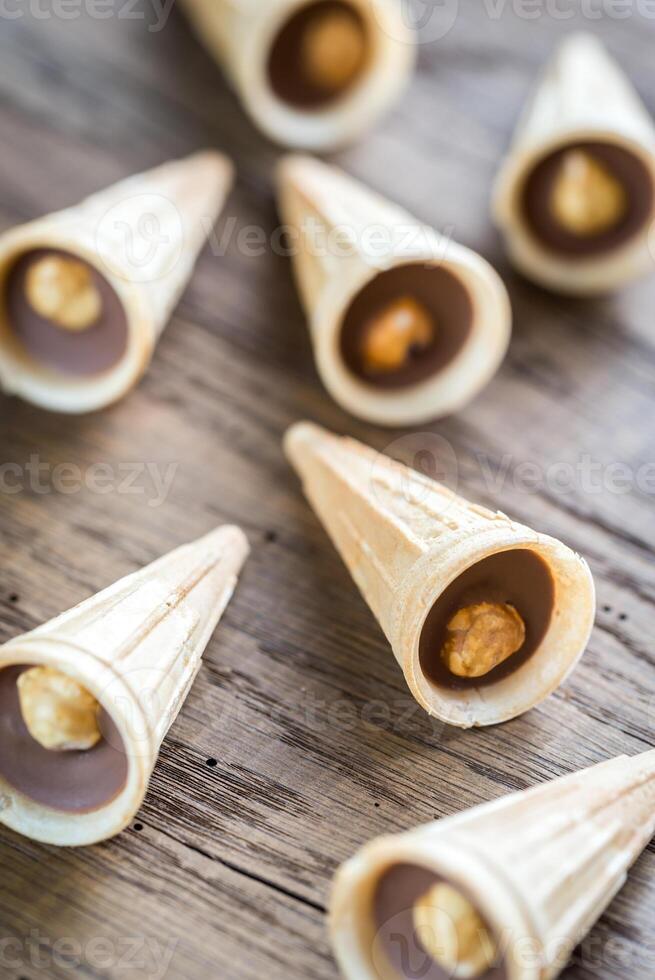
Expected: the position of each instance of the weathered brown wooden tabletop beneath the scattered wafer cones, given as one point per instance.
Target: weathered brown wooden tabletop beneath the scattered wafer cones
(226, 872)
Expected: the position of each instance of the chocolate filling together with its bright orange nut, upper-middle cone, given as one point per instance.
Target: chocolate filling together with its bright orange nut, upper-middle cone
(406, 325)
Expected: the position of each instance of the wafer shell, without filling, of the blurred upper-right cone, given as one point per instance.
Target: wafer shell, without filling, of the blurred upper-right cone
(583, 95)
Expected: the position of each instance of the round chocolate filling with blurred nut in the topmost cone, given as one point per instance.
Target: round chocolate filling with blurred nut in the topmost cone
(319, 54)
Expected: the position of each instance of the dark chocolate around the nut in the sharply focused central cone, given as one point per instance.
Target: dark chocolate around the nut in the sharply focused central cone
(519, 578)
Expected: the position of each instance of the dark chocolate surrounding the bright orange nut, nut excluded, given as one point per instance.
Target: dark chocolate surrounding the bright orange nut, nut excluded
(442, 294)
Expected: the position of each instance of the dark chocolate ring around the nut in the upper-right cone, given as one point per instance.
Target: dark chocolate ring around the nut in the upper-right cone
(624, 166)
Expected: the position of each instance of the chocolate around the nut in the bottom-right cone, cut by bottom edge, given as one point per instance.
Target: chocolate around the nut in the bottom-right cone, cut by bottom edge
(396, 895)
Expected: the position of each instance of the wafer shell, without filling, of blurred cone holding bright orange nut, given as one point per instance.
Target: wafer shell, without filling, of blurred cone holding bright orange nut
(334, 222)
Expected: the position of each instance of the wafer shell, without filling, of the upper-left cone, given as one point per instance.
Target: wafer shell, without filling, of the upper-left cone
(143, 235)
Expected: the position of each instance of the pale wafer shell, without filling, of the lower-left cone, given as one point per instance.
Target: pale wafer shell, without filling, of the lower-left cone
(137, 647)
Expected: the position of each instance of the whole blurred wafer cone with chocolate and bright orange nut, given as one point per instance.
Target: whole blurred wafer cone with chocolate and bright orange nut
(407, 325)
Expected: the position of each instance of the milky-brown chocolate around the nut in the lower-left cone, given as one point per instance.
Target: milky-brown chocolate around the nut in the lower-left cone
(74, 782)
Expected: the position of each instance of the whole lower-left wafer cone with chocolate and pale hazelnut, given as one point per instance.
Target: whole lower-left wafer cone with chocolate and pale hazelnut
(87, 698)
